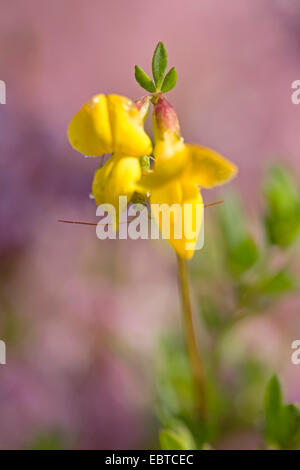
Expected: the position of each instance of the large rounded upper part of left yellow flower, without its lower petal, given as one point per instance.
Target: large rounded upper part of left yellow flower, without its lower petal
(109, 124)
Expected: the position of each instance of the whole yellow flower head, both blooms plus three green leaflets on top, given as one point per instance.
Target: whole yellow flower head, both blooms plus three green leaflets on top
(114, 124)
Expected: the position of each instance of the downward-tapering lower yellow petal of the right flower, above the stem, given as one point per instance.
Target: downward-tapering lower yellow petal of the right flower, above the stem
(178, 210)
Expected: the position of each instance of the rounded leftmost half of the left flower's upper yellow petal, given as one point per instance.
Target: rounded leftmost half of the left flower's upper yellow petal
(90, 130)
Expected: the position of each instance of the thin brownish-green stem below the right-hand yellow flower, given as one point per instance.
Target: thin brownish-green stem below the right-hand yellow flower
(191, 339)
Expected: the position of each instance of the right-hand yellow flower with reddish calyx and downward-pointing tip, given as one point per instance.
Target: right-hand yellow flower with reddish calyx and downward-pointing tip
(179, 170)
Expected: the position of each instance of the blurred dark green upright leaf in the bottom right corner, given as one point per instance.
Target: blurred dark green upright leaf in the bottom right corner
(282, 421)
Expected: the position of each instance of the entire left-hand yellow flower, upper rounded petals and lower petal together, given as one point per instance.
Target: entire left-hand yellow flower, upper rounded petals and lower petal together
(112, 124)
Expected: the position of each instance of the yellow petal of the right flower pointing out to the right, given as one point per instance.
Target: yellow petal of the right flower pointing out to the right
(207, 168)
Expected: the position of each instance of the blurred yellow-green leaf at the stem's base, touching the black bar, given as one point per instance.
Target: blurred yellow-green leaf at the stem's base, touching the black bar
(180, 439)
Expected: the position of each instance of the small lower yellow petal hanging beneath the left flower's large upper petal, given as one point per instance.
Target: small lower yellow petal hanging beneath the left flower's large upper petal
(117, 177)
